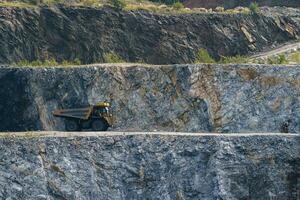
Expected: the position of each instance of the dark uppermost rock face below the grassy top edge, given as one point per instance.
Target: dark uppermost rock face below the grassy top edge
(68, 33)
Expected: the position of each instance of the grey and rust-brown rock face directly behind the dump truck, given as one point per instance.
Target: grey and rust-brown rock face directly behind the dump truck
(194, 98)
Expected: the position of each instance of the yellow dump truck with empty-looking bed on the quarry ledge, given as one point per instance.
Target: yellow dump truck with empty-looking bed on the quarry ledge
(95, 117)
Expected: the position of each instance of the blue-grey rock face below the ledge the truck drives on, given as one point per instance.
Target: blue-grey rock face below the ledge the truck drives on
(150, 167)
